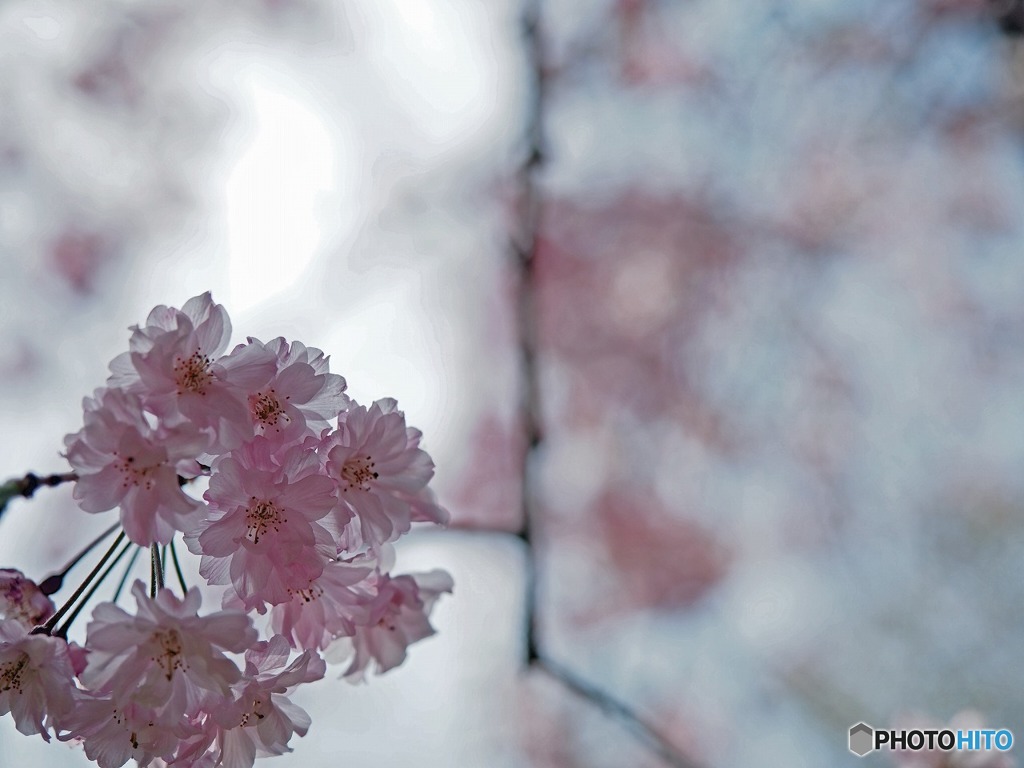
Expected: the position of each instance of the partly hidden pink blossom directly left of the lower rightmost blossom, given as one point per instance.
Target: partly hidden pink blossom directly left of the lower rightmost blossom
(328, 608)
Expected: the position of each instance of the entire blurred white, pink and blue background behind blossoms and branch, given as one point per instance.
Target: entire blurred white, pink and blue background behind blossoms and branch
(778, 300)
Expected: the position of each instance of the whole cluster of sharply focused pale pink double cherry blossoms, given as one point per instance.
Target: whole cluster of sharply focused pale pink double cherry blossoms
(308, 492)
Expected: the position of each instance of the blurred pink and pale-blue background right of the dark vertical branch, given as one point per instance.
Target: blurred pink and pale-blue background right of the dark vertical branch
(782, 339)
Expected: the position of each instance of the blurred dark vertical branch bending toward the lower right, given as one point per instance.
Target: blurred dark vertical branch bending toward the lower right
(524, 248)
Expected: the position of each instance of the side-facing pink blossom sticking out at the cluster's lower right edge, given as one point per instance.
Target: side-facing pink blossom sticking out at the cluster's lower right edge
(399, 618)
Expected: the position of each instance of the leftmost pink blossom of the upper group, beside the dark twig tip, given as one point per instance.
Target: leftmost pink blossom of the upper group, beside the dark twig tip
(122, 460)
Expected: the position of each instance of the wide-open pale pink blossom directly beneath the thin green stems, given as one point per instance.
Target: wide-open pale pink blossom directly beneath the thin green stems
(166, 657)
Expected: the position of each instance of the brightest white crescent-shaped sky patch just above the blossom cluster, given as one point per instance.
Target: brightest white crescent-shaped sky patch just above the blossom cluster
(281, 192)
